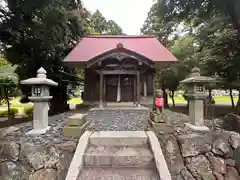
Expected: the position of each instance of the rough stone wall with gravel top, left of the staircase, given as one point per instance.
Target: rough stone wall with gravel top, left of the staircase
(45, 157)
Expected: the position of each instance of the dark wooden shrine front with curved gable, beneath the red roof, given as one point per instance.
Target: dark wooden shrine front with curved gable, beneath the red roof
(122, 71)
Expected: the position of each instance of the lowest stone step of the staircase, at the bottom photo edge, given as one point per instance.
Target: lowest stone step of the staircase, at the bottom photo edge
(118, 174)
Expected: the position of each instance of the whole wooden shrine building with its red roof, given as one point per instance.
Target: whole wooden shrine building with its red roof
(119, 68)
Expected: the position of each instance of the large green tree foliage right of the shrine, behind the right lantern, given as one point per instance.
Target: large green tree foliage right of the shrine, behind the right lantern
(199, 33)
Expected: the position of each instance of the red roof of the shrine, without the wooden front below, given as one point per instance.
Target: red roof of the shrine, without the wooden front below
(91, 46)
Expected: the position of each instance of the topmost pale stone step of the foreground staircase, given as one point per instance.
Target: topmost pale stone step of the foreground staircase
(119, 138)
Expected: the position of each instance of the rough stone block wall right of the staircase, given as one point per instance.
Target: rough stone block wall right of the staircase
(210, 156)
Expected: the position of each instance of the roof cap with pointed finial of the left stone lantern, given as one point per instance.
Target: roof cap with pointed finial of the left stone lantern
(41, 79)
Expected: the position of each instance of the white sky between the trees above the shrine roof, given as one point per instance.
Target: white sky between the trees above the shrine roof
(128, 14)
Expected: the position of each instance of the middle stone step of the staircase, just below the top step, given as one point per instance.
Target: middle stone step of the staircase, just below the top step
(118, 156)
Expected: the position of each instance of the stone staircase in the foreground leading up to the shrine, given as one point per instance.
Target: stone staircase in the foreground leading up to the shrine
(116, 155)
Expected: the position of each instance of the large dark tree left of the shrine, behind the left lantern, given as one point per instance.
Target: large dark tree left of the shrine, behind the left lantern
(42, 33)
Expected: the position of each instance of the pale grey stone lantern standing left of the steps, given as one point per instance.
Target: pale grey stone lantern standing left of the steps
(40, 98)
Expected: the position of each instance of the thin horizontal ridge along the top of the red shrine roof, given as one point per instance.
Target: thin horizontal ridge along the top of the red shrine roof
(118, 36)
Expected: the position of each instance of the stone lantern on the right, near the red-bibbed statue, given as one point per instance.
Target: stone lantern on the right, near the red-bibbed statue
(196, 93)
